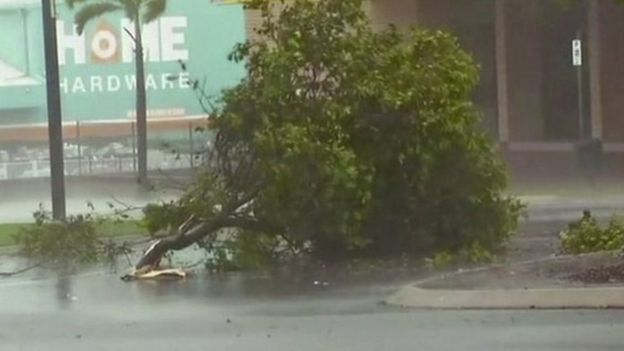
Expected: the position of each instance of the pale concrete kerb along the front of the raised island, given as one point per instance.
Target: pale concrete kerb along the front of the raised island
(556, 298)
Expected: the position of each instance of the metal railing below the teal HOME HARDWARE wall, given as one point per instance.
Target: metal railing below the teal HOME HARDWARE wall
(103, 148)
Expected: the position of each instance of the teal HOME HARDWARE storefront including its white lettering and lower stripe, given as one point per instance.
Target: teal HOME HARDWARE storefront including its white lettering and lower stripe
(98, 81)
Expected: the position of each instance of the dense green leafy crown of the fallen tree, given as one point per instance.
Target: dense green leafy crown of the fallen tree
(352, 141)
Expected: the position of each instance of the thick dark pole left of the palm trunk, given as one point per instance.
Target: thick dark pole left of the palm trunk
(55, 126)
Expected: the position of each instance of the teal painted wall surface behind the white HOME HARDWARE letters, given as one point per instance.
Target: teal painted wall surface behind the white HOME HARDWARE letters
(211, 32)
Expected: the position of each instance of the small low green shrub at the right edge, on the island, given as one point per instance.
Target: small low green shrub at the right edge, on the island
(586, 235)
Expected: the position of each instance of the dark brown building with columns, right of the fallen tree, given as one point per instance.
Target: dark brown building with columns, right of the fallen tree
(538, 101)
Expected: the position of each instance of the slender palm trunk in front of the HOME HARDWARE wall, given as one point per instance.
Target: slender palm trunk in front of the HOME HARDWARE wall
(141, 103)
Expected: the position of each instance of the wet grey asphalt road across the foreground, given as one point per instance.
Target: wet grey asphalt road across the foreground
(97, 311)
